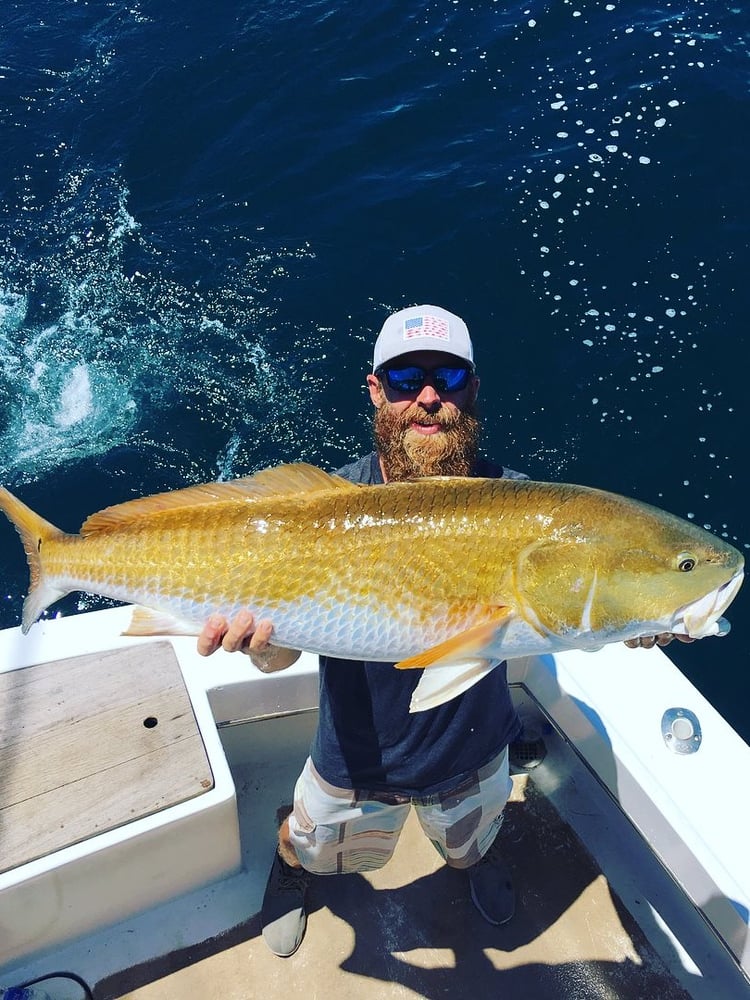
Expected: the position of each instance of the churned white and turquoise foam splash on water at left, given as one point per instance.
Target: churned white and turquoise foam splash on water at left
(130, 350)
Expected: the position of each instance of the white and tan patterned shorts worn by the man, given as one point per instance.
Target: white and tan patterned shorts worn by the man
(338, 831)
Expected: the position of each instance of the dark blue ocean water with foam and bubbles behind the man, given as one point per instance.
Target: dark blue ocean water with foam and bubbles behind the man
(206, 210)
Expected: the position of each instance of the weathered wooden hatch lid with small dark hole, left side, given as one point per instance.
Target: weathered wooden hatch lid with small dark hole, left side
(90, 743)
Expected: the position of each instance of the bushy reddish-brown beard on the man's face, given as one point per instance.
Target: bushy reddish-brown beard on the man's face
(407, 454)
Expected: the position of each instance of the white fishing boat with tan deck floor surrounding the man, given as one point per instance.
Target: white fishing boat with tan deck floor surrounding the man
(160, 908)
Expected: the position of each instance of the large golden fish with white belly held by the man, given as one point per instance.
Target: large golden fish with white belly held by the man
(448, 573)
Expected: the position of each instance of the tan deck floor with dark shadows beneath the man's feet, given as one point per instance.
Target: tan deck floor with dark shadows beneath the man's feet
(410, 929)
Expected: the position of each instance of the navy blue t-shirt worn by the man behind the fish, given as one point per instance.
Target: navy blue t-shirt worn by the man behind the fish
(367, 738)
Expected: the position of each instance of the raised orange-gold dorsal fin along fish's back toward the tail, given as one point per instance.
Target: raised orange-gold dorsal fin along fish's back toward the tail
(284, 480)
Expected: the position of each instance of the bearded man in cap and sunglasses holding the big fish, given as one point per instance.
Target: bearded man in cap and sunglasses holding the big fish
(371, 760)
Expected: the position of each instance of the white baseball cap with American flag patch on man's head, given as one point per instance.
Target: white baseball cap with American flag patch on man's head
(422, 328)
